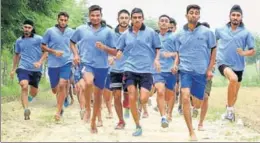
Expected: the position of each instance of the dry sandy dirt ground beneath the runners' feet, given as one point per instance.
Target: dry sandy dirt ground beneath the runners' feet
(43, 128)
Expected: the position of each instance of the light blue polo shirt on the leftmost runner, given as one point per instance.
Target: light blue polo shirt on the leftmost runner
(30, 52)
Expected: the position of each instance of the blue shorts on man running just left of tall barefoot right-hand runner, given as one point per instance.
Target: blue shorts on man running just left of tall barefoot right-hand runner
(167, 78)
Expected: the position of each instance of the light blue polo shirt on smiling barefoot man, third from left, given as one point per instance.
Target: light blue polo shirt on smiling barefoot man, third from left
(88, 36)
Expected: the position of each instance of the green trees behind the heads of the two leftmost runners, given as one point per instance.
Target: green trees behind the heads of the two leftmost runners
(42, 12)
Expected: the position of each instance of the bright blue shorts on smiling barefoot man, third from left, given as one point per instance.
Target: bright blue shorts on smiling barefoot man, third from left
(100, 75)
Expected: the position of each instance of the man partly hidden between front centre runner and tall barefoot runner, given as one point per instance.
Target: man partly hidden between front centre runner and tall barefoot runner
(165, 80)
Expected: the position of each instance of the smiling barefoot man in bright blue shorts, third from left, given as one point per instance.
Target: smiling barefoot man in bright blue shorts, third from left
(97, 40)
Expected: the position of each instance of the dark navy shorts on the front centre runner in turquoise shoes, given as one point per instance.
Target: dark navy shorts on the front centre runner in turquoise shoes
(144, 80)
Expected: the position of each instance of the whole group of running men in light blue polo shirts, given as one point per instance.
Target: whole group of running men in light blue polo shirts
(132, 59)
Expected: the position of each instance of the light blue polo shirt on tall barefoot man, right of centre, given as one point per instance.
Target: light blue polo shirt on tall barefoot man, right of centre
(194, 48)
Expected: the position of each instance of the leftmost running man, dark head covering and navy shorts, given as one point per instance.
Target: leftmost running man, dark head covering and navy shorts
(30, 57)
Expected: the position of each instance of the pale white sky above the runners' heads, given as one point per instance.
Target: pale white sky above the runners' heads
(215, 12)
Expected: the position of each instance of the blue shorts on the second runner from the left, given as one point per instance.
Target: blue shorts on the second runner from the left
(56, 74)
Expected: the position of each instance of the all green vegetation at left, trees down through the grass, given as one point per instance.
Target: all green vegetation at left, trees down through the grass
(44, 14)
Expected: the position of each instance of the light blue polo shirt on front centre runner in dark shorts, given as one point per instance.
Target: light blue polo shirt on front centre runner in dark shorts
(139, 49)
